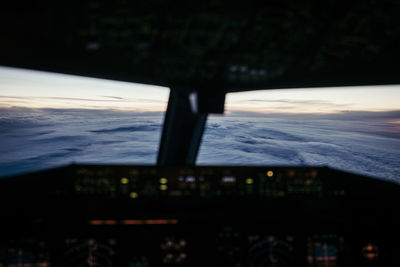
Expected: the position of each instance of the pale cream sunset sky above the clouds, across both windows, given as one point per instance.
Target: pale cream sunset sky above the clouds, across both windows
(35, 89)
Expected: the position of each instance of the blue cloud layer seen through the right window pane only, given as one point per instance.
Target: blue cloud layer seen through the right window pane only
(360, 142)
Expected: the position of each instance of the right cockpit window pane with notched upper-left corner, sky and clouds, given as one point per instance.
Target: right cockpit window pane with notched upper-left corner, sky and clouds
(354, 129)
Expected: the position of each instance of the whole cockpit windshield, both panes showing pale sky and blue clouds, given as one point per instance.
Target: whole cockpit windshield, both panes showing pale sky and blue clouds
(49, 120)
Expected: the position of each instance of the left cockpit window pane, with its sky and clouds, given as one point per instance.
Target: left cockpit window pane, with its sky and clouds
(49, 120)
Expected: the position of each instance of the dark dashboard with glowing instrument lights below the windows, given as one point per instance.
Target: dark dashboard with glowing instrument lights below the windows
(87, 215)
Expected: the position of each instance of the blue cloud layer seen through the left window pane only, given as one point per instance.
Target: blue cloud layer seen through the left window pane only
(36, 139)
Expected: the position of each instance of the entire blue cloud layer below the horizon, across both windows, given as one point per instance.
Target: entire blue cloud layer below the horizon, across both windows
(360, 142)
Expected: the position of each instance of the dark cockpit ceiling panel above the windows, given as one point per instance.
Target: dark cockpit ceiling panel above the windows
(229, 45)
